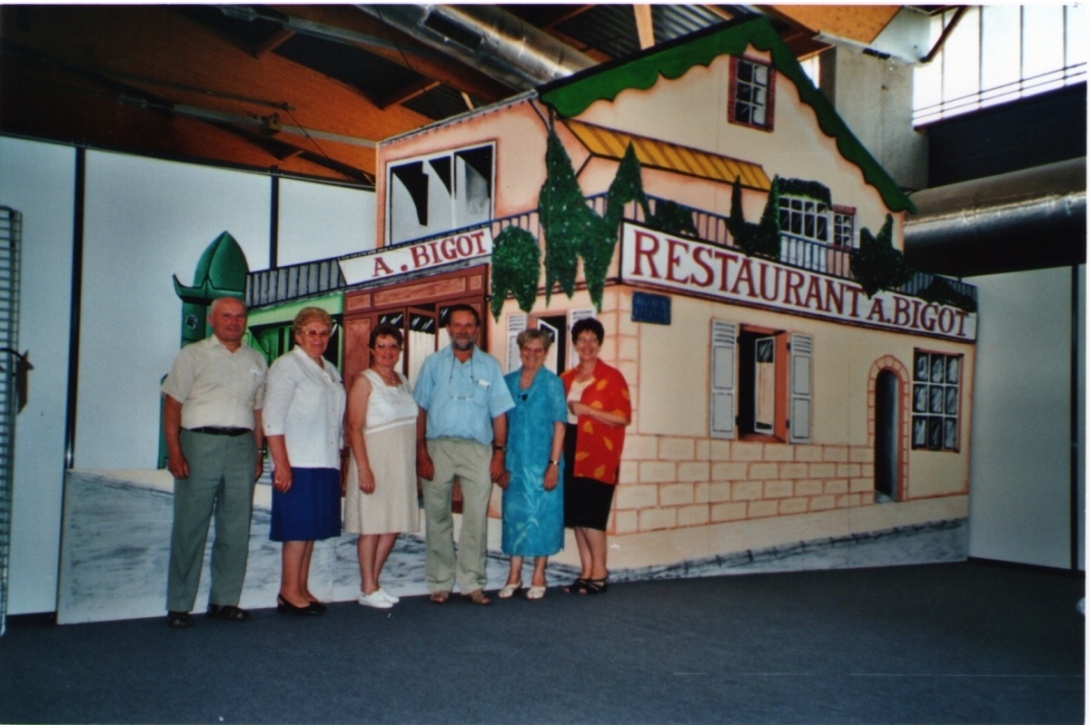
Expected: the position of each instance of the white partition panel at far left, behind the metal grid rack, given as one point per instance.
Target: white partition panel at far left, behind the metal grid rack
(40, 180)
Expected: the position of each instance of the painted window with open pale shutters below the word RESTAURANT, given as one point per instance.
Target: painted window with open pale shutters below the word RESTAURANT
(761, 383)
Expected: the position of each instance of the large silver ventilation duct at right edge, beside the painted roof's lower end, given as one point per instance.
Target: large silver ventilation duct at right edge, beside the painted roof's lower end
(1023, 221)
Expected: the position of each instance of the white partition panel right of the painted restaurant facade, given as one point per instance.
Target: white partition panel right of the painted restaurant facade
(1021, 505)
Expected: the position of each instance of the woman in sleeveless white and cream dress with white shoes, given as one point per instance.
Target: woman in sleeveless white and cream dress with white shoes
(381, 493)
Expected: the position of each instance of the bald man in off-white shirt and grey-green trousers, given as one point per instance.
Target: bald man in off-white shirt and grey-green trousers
(212, 421)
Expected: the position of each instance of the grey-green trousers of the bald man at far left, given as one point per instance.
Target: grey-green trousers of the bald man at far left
(221, 486)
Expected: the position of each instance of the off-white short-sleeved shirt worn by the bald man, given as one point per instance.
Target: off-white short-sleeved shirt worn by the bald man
(215, 386)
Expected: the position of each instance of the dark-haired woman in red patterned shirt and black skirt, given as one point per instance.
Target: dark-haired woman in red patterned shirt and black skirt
(599, 410)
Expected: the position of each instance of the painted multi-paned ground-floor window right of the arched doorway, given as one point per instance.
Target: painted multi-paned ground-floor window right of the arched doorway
(937, 381)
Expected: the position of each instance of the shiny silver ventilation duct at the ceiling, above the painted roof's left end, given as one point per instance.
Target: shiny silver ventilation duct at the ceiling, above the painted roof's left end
(490, 39)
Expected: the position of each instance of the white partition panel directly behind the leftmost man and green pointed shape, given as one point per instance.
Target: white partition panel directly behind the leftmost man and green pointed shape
(148, 221)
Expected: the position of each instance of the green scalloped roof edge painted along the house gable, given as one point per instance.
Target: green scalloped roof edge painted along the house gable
(572, 96)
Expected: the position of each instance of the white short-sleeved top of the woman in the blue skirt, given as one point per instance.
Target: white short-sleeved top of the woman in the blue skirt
(306, 404)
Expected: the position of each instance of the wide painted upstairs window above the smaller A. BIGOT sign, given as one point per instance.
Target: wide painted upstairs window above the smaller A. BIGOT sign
(430, 197)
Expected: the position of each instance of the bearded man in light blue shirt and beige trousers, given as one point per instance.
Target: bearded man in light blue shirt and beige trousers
(462, 432)
